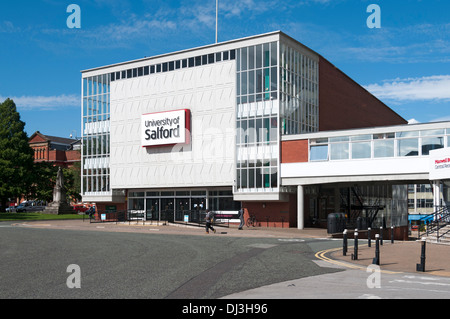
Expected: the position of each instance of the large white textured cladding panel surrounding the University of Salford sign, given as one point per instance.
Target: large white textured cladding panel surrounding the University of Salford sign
(209, 93)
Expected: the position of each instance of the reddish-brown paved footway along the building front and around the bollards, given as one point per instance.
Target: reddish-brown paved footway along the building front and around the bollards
(400, 256)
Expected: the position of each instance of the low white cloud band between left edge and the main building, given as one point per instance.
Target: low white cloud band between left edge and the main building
(45, 102)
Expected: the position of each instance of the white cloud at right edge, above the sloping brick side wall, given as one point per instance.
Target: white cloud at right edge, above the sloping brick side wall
(427, 88)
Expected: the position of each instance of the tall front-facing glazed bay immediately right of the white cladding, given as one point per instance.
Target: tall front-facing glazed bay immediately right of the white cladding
(257, 118)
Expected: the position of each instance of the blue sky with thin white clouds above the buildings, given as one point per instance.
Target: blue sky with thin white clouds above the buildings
(405, 63)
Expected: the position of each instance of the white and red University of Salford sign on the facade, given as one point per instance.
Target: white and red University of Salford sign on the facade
(165, 128)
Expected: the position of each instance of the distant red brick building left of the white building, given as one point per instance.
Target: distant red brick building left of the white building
(60, 151)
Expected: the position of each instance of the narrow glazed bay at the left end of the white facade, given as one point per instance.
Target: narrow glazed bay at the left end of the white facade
(96, 135)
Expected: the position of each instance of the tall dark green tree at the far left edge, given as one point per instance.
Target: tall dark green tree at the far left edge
(16, 155)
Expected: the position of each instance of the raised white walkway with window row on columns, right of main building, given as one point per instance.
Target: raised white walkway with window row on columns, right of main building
(328, 168)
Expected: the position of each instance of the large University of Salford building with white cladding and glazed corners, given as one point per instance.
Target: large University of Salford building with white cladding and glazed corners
(211, 127)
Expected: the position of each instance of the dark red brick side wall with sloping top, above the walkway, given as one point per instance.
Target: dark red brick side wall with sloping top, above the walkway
(344, 104)
